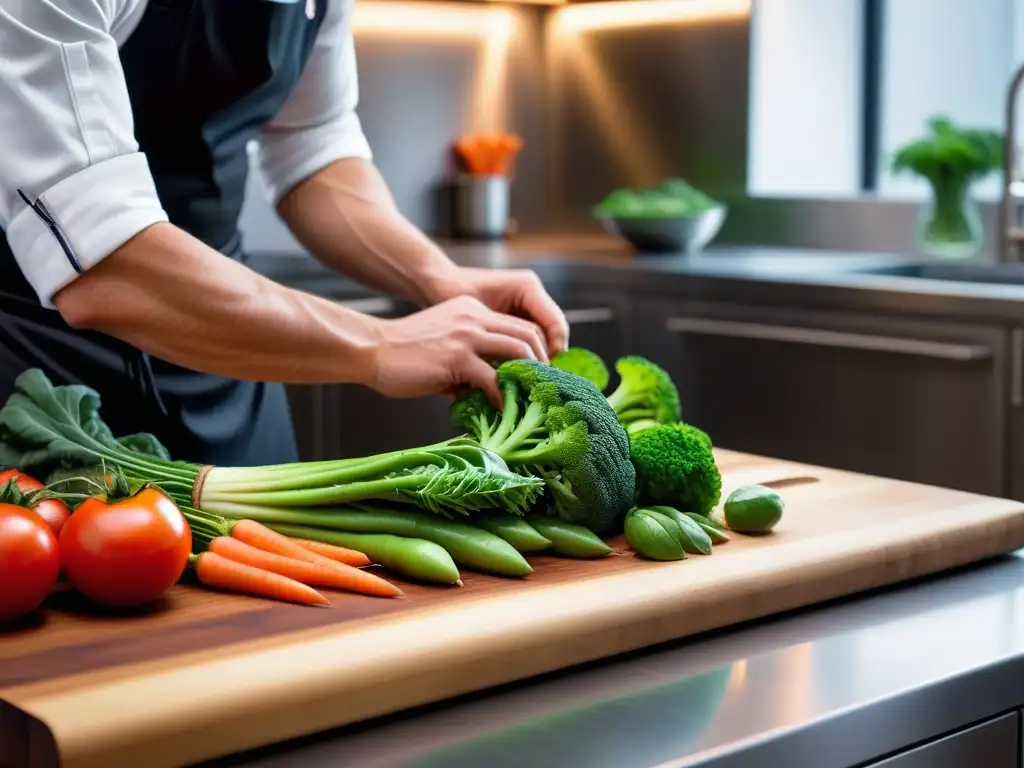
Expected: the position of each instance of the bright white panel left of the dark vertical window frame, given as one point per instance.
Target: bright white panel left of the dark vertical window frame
(806, 75)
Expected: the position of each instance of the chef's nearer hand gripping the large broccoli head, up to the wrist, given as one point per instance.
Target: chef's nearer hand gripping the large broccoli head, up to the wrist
(450, 347)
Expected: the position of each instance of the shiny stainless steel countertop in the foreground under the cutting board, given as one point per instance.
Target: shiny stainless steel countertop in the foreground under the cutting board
(829, 687)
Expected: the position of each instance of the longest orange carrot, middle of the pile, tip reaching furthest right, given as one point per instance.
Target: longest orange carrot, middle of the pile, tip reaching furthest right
(312, 574)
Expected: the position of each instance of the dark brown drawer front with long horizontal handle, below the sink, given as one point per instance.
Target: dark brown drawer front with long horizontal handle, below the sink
(917, 401)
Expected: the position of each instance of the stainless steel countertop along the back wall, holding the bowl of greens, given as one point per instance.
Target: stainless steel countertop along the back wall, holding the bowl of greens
(757, 275)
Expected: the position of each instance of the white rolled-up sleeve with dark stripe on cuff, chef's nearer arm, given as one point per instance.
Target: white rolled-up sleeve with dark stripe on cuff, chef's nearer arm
(74, 187)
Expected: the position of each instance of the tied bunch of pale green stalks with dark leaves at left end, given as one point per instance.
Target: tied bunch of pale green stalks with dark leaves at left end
(44, 426)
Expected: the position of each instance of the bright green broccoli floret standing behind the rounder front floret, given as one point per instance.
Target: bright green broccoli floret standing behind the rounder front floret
(646, 397)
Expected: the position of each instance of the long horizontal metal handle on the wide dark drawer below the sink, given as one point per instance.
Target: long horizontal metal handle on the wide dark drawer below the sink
(867, 343)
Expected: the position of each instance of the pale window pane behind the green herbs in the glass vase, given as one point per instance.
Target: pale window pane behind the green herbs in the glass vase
(944, 57)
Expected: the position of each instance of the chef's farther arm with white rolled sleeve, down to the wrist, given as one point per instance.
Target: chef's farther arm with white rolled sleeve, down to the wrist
(318, 166)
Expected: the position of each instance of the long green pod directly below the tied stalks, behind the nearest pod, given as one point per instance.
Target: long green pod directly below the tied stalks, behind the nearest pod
(468, 545)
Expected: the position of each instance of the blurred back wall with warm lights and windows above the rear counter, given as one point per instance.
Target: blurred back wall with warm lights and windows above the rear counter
(788, 110)
